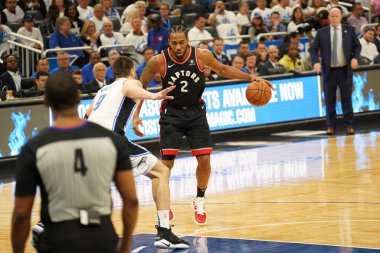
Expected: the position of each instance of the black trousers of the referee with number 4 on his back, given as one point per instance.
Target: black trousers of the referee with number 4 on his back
(71, 236)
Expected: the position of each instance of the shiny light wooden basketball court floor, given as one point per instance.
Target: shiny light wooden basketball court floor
(319, 191)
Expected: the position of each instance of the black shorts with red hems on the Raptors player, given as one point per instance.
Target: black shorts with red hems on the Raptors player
(190, 121)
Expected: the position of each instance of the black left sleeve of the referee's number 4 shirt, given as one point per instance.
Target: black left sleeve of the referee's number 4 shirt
(26, 173)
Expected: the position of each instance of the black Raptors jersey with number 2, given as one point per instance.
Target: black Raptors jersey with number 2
(186, 75)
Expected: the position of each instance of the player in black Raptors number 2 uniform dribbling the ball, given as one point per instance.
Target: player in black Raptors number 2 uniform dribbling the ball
(185, 115)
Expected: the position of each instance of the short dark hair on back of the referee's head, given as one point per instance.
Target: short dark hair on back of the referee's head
(61, 92)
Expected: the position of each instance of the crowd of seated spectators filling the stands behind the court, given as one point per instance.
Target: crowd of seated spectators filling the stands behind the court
(142, 30)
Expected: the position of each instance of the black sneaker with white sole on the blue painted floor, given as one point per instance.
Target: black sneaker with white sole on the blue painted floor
(165, 239)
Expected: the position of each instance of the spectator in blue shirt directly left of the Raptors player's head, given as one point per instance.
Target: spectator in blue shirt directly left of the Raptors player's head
(158, 36)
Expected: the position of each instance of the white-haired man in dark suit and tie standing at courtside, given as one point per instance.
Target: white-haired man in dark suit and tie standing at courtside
(339, 49)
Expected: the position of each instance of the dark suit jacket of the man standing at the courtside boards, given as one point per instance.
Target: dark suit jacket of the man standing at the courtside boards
(322, 44)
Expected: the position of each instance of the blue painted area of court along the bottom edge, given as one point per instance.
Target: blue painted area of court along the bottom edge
(227, 245)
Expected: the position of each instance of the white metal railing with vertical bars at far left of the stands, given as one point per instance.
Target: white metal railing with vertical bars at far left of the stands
(28, 55)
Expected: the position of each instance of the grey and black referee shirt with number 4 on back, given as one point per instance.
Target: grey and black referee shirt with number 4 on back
(73, 168)
